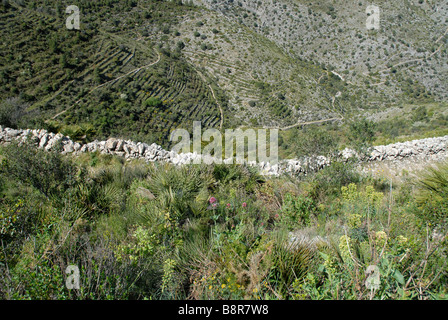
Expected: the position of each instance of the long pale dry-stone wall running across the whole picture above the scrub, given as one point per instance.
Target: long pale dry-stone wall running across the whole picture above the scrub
(430, 147)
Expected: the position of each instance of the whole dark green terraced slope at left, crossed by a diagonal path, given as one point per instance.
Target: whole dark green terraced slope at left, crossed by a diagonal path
(104, 74)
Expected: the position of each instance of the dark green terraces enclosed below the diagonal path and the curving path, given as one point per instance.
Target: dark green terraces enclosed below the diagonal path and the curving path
(156, 98)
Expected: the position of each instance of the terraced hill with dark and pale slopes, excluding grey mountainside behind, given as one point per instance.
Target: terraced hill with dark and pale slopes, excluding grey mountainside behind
(189, 62)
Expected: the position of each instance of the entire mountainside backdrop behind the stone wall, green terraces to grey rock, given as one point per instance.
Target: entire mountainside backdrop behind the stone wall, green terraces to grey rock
(139, 69)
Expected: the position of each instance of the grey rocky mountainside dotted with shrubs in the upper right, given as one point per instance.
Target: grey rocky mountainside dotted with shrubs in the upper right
(405, 58)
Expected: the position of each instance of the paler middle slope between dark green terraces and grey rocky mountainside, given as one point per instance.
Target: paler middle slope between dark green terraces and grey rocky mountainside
(265, 86)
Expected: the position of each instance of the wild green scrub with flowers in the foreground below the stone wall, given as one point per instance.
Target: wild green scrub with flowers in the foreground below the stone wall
(141, 231)
